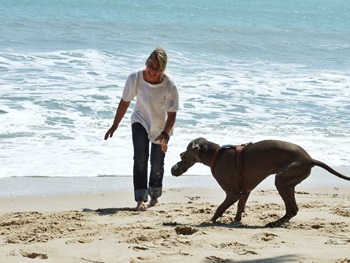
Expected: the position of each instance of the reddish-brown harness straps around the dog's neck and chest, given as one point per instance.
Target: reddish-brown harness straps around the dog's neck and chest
(239, 164)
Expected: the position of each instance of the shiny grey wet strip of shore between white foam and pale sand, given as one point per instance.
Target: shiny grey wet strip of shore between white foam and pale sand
(29, 186)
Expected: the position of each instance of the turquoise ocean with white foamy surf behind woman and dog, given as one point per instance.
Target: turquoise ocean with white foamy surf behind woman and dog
(245, 70)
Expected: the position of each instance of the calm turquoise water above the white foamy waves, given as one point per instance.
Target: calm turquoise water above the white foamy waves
(312, 32)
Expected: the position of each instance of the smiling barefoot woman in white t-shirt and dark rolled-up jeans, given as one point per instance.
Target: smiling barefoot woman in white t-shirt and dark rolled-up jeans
(152, 123)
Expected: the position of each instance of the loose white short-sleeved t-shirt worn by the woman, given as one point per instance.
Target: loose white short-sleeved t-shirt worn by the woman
(153, 102)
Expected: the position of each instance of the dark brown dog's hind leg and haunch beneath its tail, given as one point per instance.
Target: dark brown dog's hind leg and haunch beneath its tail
(285, 183)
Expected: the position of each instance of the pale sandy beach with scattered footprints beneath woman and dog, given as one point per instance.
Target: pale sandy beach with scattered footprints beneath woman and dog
(104, 227)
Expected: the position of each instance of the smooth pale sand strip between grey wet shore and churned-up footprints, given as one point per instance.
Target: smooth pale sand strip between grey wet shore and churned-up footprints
(125, 198)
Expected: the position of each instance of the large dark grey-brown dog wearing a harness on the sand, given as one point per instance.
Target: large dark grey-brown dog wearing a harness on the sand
(239, 169)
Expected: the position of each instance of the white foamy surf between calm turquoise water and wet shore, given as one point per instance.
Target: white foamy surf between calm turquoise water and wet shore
(63, 102)
